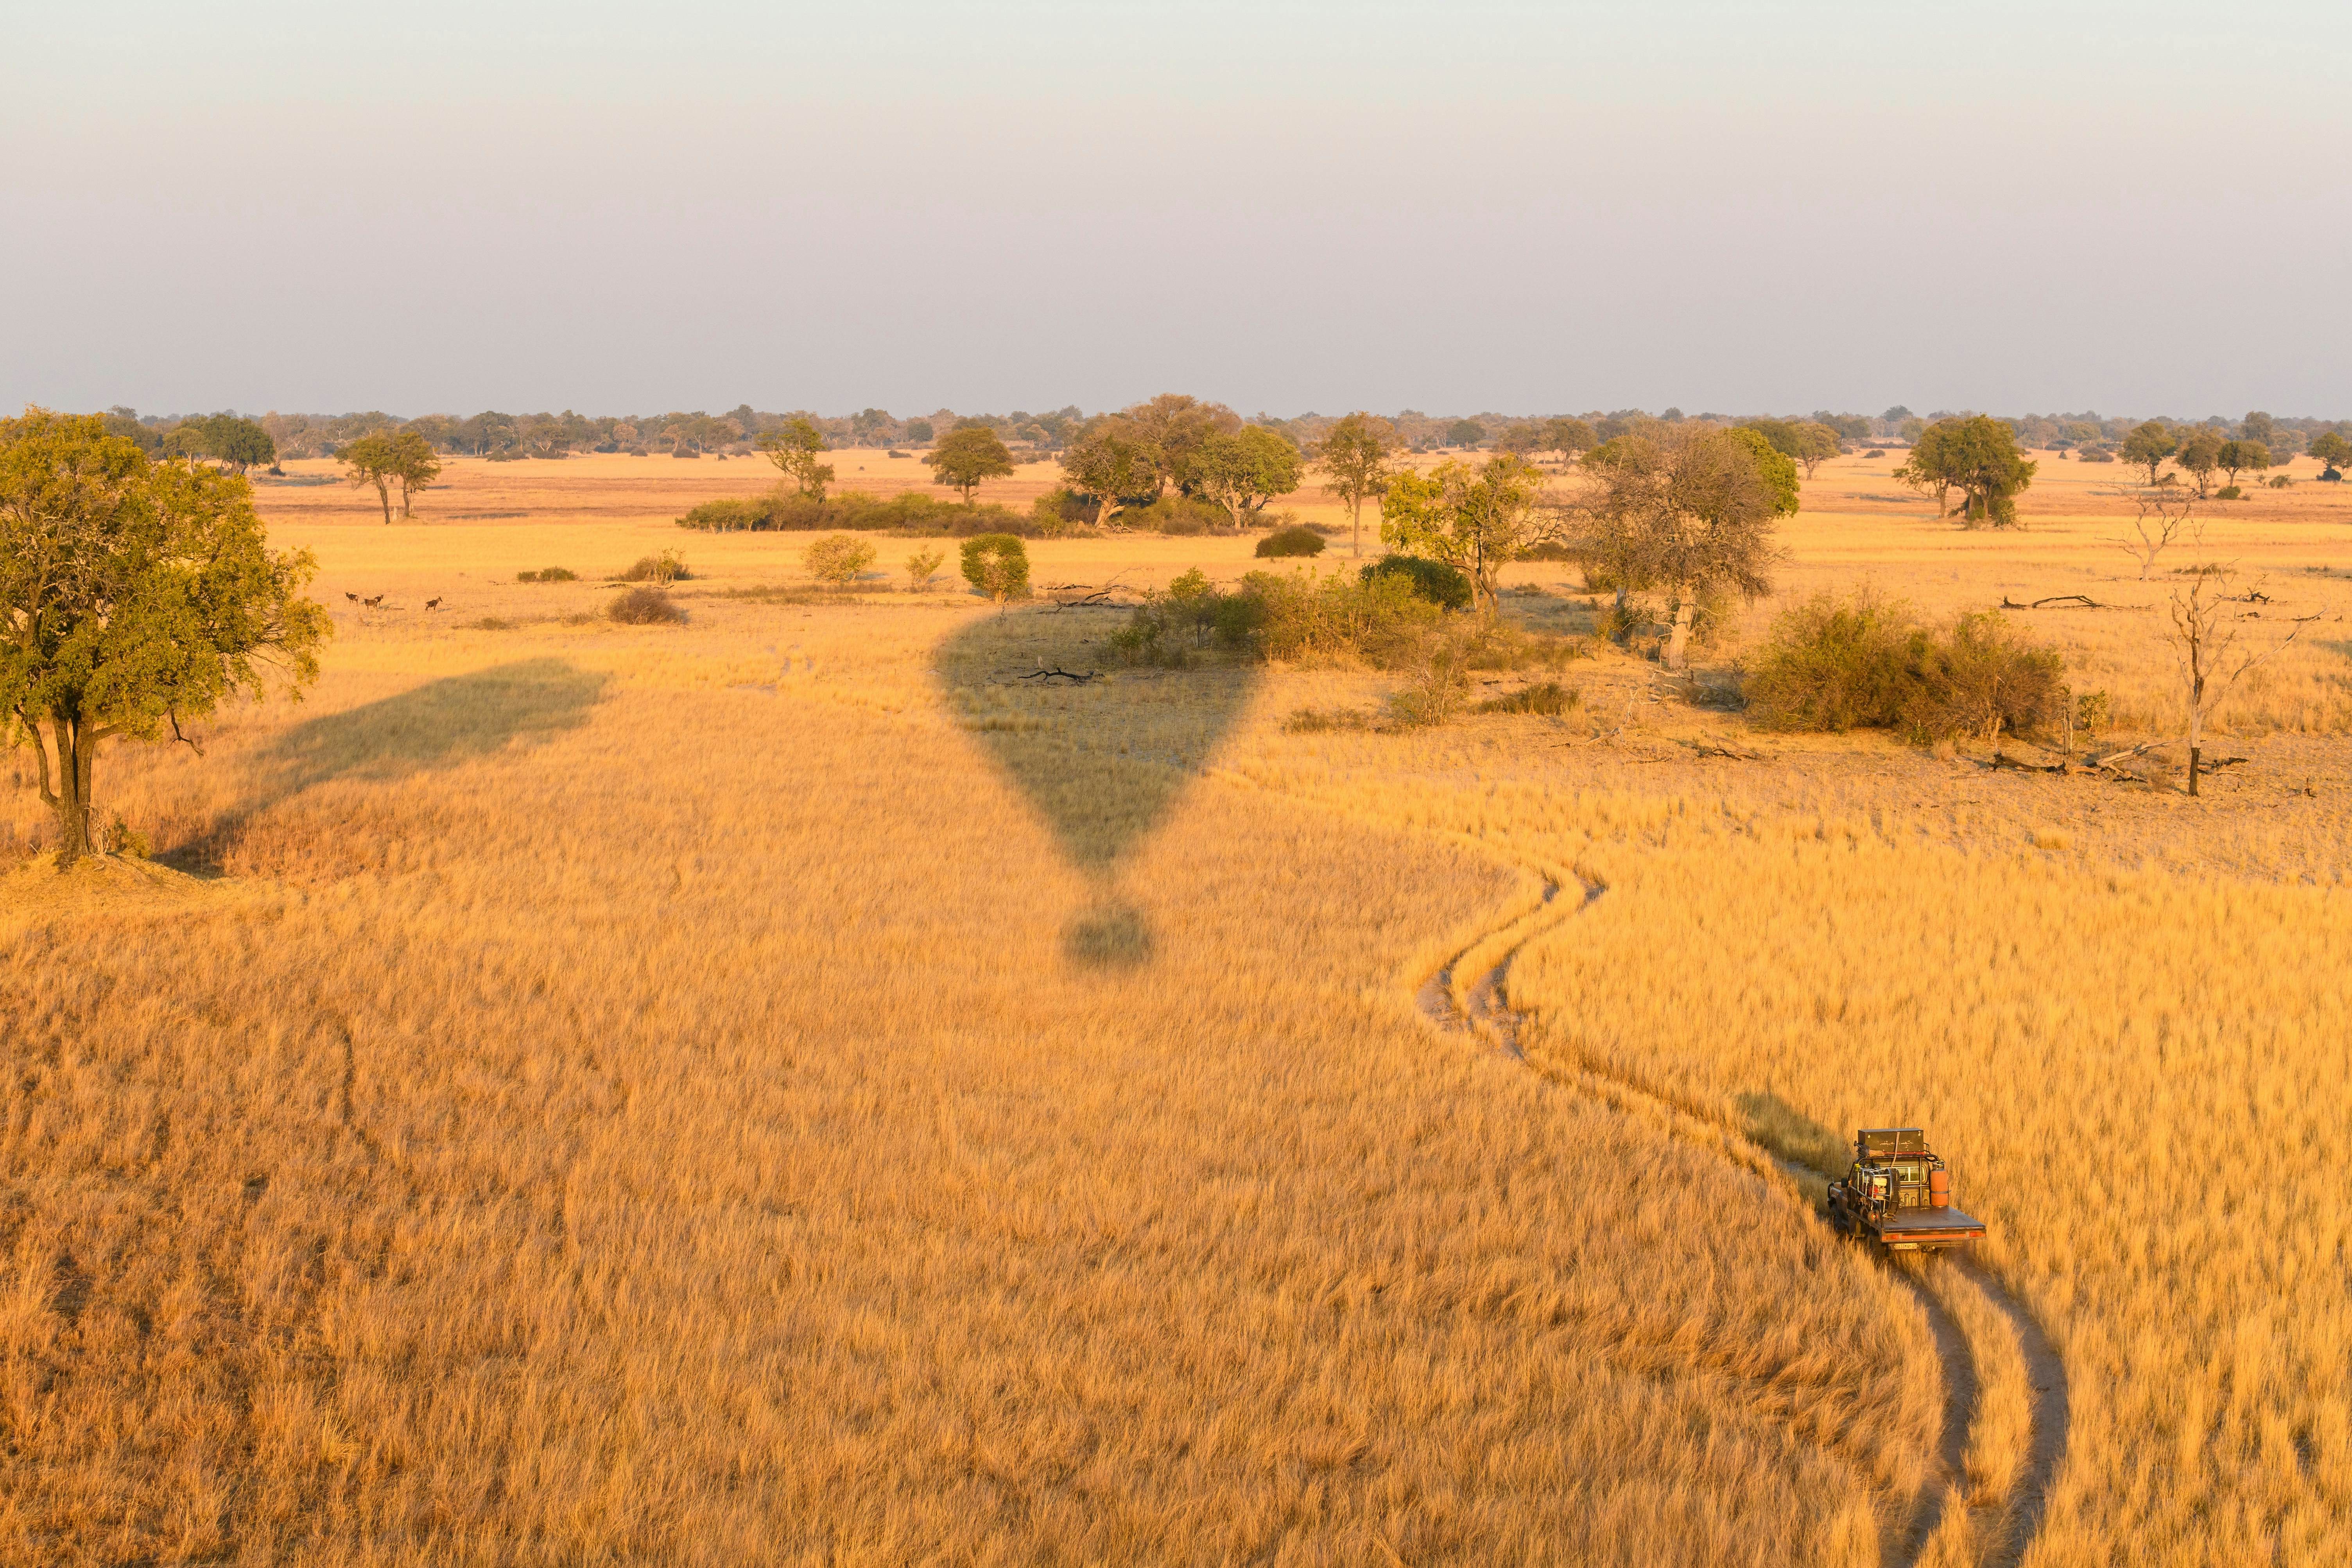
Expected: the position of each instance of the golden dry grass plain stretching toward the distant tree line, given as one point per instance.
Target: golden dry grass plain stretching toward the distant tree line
(801, 1087)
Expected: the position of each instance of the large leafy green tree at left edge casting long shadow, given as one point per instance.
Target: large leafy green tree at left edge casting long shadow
(133, 596)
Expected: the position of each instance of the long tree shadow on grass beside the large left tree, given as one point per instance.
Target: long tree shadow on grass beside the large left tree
(432, 728)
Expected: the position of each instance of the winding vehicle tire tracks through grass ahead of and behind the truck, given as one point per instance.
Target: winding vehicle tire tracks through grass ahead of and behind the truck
(1471, 996)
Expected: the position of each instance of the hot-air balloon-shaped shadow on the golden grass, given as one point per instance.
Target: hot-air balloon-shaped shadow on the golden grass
(1102, 760)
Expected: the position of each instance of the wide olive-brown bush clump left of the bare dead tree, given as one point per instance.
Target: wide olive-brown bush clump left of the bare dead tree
(1866, 664)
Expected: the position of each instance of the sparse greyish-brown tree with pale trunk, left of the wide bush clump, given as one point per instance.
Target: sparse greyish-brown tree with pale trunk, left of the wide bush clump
(1685, 507)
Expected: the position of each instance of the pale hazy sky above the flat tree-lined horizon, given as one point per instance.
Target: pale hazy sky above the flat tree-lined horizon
(1283, 206)
